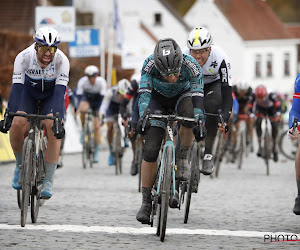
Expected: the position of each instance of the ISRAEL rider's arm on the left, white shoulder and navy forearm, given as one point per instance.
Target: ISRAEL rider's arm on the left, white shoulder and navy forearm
(18, 79)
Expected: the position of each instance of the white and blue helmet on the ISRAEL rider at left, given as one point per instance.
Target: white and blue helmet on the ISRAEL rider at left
(47, 36)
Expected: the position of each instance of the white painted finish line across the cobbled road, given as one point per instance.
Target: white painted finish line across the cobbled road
(143, 230)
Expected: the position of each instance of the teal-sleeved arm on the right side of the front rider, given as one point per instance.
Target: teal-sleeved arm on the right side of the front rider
(194, 73)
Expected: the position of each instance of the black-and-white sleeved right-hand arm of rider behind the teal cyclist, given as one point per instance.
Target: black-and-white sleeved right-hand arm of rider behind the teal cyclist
(226, 88)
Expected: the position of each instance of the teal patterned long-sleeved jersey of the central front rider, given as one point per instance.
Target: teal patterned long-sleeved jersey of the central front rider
(190, 79)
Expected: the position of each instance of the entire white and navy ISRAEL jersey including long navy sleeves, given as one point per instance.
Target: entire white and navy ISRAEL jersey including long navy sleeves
(32, 83)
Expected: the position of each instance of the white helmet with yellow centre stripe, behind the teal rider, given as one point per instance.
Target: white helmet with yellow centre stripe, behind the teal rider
(199, 38)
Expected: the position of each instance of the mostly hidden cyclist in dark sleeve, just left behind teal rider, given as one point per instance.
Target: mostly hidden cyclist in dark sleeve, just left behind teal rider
(131, 94)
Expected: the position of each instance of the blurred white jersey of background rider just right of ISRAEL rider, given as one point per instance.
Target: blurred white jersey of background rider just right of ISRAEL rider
(84, 85)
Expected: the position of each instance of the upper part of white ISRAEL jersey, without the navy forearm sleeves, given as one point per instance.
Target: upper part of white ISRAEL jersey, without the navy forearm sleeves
(27, 70)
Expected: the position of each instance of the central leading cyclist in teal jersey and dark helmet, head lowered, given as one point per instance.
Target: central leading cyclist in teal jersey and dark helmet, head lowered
(169, 80)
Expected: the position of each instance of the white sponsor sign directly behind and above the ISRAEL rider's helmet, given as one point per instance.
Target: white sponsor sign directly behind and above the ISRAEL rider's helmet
(60, 18)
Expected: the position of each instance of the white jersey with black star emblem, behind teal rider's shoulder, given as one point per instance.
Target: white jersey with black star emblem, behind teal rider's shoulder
(217, 66)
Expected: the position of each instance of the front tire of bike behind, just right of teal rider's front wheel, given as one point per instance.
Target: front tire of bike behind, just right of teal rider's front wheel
(194, 166)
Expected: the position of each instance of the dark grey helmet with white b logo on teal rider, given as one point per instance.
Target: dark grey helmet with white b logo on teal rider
(167, 56)
